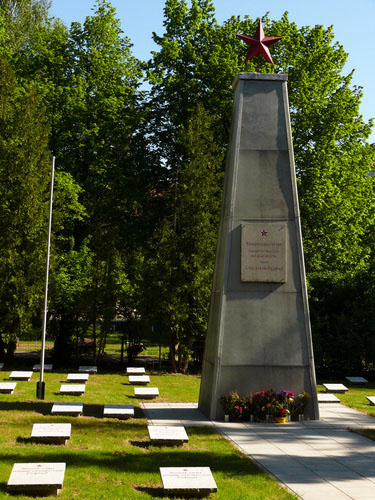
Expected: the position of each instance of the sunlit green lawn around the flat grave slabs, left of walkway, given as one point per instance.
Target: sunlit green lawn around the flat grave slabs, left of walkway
(110, 459)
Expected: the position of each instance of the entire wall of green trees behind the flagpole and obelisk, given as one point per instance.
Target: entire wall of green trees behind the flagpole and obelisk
(139, 172)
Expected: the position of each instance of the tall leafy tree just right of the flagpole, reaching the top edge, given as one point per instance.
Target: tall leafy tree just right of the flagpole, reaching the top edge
(89, 80)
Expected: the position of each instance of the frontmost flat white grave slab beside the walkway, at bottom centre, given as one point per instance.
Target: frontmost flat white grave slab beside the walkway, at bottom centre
(181, 480)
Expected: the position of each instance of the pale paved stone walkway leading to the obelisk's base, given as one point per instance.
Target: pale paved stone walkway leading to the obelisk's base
(314, 459)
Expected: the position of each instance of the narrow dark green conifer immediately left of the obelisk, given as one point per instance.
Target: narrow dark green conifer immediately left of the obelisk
(180, 264)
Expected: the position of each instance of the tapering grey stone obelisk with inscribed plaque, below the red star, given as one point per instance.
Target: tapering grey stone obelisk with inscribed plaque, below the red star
(259, 334)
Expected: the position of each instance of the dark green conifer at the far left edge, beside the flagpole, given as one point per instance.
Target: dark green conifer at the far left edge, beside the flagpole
(24, 184)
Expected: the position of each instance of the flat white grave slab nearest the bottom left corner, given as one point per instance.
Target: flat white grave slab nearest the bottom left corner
(44, 478)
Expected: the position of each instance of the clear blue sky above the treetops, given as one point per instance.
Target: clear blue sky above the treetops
(353, 23)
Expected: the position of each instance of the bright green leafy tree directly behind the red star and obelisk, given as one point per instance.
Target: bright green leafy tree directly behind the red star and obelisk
(197, 61)
